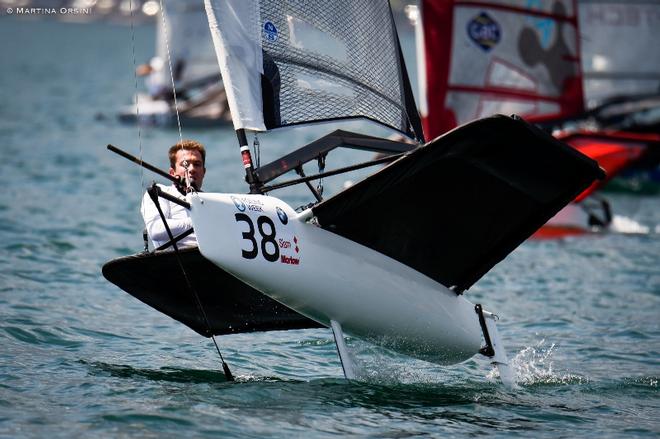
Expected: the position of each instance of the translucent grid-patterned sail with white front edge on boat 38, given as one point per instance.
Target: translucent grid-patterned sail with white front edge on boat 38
(287, 63)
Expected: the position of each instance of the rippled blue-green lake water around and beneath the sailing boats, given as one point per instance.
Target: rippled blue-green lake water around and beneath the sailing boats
(580, 317)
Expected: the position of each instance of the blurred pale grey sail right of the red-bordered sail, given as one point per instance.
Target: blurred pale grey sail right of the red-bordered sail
(620, 49)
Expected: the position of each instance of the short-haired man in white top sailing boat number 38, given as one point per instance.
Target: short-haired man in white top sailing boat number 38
(187, 160)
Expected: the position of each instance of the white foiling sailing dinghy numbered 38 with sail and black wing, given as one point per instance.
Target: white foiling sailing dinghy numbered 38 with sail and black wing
(388, 259)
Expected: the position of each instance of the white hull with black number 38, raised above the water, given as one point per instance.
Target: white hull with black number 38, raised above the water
(327, 277)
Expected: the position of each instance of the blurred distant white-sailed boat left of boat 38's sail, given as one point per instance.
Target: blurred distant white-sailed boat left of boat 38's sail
(184, 50)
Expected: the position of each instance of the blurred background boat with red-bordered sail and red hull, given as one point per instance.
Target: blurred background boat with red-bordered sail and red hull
(485, 58)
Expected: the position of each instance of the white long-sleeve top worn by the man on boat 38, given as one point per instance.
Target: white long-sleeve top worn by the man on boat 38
(178, 219)
